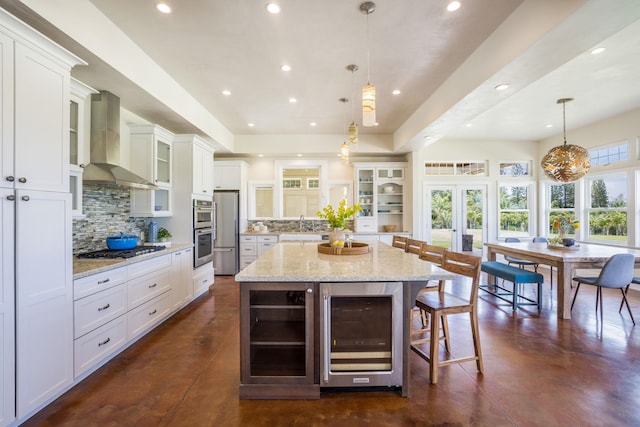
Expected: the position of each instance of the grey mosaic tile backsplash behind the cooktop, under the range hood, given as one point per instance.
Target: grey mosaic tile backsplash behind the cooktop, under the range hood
(106, 209)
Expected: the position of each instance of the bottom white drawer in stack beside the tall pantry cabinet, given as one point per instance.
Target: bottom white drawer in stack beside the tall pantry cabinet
(96, 345)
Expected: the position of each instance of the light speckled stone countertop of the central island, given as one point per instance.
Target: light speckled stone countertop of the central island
(301, 262)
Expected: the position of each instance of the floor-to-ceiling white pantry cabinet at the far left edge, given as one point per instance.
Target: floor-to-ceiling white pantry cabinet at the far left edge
(34, 151)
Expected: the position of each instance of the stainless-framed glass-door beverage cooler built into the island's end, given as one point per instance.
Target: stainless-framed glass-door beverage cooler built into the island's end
(361, 334)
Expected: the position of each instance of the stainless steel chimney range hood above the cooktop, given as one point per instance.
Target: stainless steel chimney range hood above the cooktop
(104, 167)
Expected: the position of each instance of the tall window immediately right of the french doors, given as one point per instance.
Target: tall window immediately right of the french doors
(514, 210)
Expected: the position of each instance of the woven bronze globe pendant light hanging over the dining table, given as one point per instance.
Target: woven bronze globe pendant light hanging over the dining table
(567, 162)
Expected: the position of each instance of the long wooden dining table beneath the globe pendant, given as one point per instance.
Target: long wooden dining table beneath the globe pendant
(565, 259)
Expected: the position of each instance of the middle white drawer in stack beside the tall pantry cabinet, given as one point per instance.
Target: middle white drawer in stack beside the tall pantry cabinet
(95, 310)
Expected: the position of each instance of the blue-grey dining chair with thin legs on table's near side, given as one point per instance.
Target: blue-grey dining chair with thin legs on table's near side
(617, 273)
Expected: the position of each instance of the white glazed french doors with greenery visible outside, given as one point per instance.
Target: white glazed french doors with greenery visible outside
(456, 216)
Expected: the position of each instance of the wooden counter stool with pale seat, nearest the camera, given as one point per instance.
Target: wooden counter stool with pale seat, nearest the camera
(441, 304)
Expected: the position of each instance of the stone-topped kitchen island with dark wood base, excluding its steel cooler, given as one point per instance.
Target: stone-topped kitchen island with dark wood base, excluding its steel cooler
(284, 284)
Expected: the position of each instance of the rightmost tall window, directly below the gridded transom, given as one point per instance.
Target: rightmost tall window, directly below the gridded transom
(608, 208)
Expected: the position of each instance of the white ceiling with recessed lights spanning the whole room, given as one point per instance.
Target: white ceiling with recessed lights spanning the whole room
(446, 64)
